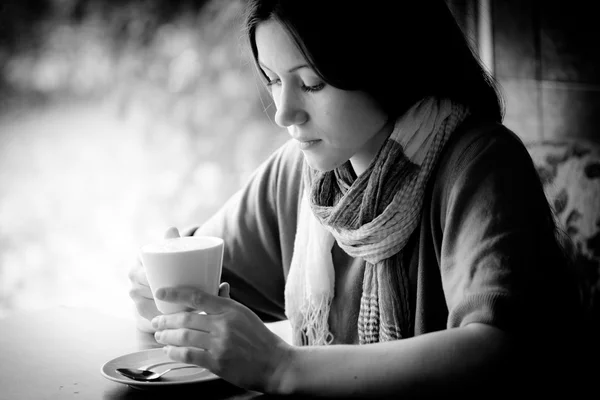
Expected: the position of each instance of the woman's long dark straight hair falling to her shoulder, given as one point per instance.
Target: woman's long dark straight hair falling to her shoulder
(397, 51)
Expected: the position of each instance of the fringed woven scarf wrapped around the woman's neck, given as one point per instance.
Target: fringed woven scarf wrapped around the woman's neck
(370, 216)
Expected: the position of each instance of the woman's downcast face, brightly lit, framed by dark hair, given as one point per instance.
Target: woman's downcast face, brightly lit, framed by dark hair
(331, 126)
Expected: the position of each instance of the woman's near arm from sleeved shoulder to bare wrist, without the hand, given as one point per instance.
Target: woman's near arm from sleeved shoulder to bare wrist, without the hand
(502, 286)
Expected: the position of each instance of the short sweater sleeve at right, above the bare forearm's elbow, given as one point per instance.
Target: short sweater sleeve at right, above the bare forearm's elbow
(500, 261)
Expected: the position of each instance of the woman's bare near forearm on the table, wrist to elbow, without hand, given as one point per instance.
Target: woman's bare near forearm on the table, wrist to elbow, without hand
(439, 361)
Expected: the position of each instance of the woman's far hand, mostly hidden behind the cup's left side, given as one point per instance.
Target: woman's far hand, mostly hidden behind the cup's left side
(140, 291)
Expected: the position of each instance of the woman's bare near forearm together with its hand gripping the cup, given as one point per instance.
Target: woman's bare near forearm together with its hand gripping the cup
(233, 343)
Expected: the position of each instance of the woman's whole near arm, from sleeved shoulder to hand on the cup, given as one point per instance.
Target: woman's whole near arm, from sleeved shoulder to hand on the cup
(502, 294)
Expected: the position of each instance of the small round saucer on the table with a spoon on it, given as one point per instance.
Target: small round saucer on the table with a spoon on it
(138, 359)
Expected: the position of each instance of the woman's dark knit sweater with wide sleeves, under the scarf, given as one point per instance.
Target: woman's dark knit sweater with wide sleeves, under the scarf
(484, 251)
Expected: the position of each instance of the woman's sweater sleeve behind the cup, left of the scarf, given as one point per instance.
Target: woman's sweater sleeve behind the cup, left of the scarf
(258, 226)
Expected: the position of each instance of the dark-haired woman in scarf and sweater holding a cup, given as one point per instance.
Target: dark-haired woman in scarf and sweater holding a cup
(403, 230)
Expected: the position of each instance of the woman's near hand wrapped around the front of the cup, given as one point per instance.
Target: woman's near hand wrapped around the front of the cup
(229, 340)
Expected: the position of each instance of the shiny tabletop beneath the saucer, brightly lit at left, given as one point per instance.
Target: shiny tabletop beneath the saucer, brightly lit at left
(66, 347)
